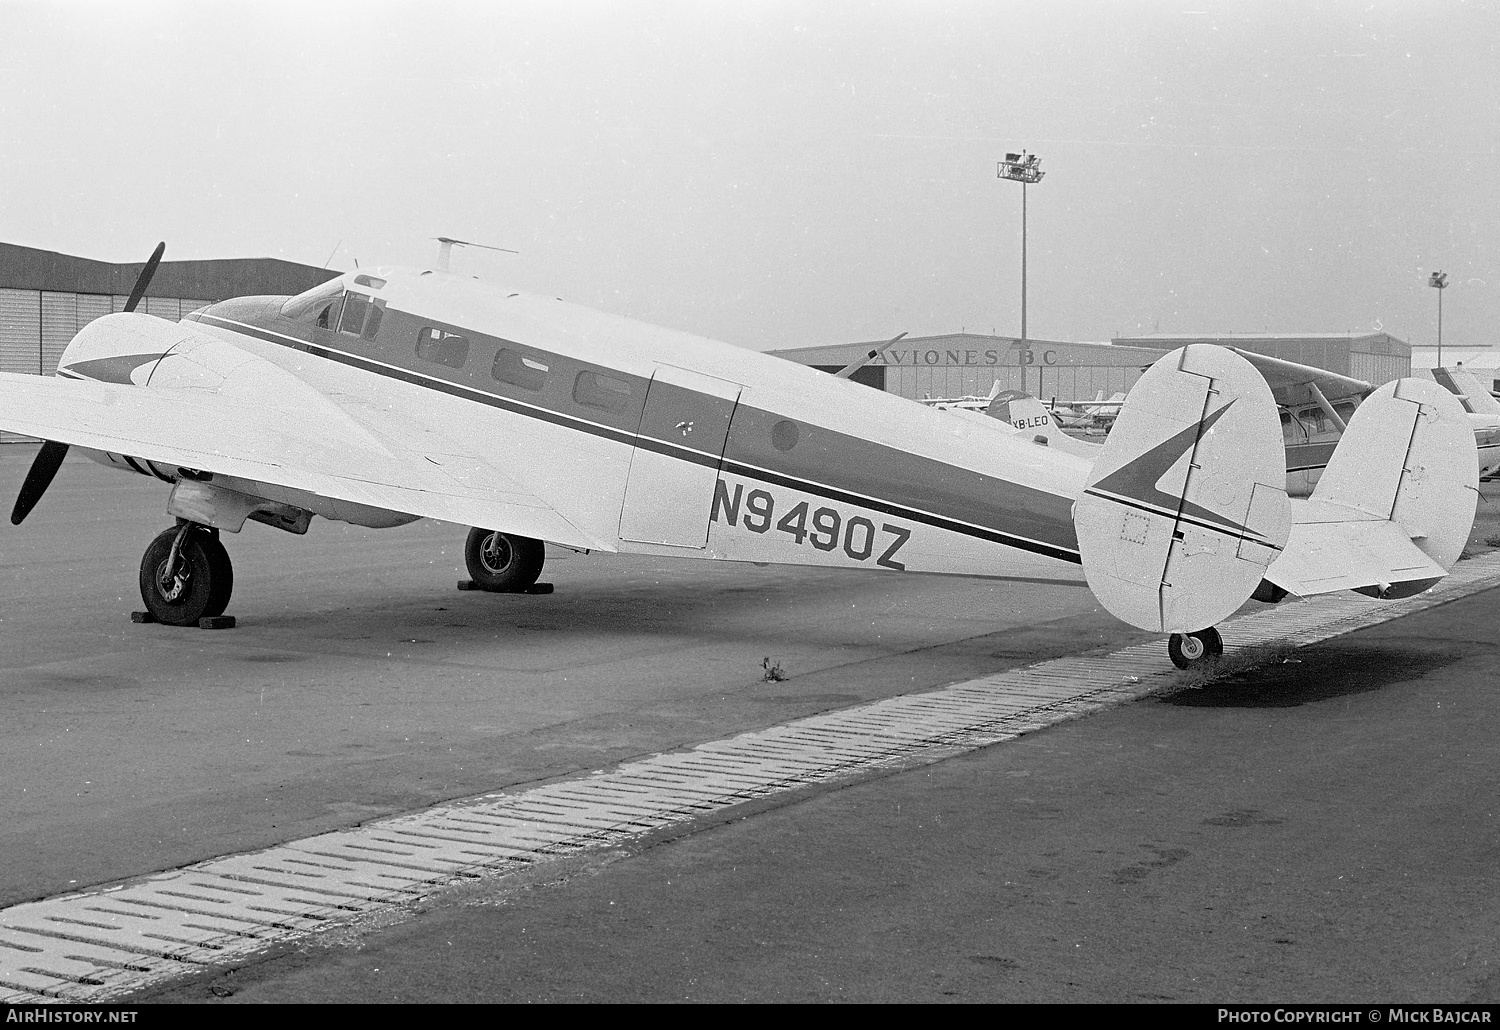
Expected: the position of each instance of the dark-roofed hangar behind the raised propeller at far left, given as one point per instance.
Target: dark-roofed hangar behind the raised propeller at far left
(47, 298)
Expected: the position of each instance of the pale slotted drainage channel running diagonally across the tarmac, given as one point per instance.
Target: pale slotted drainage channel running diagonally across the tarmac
(109, 942)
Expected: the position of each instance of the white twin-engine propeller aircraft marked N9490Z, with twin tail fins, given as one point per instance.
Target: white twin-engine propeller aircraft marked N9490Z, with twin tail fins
(386, 397)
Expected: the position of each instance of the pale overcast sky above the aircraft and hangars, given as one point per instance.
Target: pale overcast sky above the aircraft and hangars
(788, 175)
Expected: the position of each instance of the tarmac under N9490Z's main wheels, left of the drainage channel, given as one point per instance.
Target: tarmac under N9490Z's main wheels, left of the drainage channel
(361, 683)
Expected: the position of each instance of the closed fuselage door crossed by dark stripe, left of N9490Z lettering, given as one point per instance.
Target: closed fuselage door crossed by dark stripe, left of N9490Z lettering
(676, 464)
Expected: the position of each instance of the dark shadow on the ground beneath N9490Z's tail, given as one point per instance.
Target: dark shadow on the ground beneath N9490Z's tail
(1321, 674)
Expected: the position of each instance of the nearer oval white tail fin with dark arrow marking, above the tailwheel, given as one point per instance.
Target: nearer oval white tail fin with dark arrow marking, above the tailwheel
(1187, 503)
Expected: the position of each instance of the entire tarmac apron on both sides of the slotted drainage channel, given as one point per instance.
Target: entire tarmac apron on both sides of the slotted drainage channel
(1322, 830)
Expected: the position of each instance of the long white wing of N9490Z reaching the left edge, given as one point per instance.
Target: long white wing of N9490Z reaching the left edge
(319, 452)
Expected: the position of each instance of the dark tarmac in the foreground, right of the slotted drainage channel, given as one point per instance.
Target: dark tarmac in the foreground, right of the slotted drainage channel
(1319, 831)
